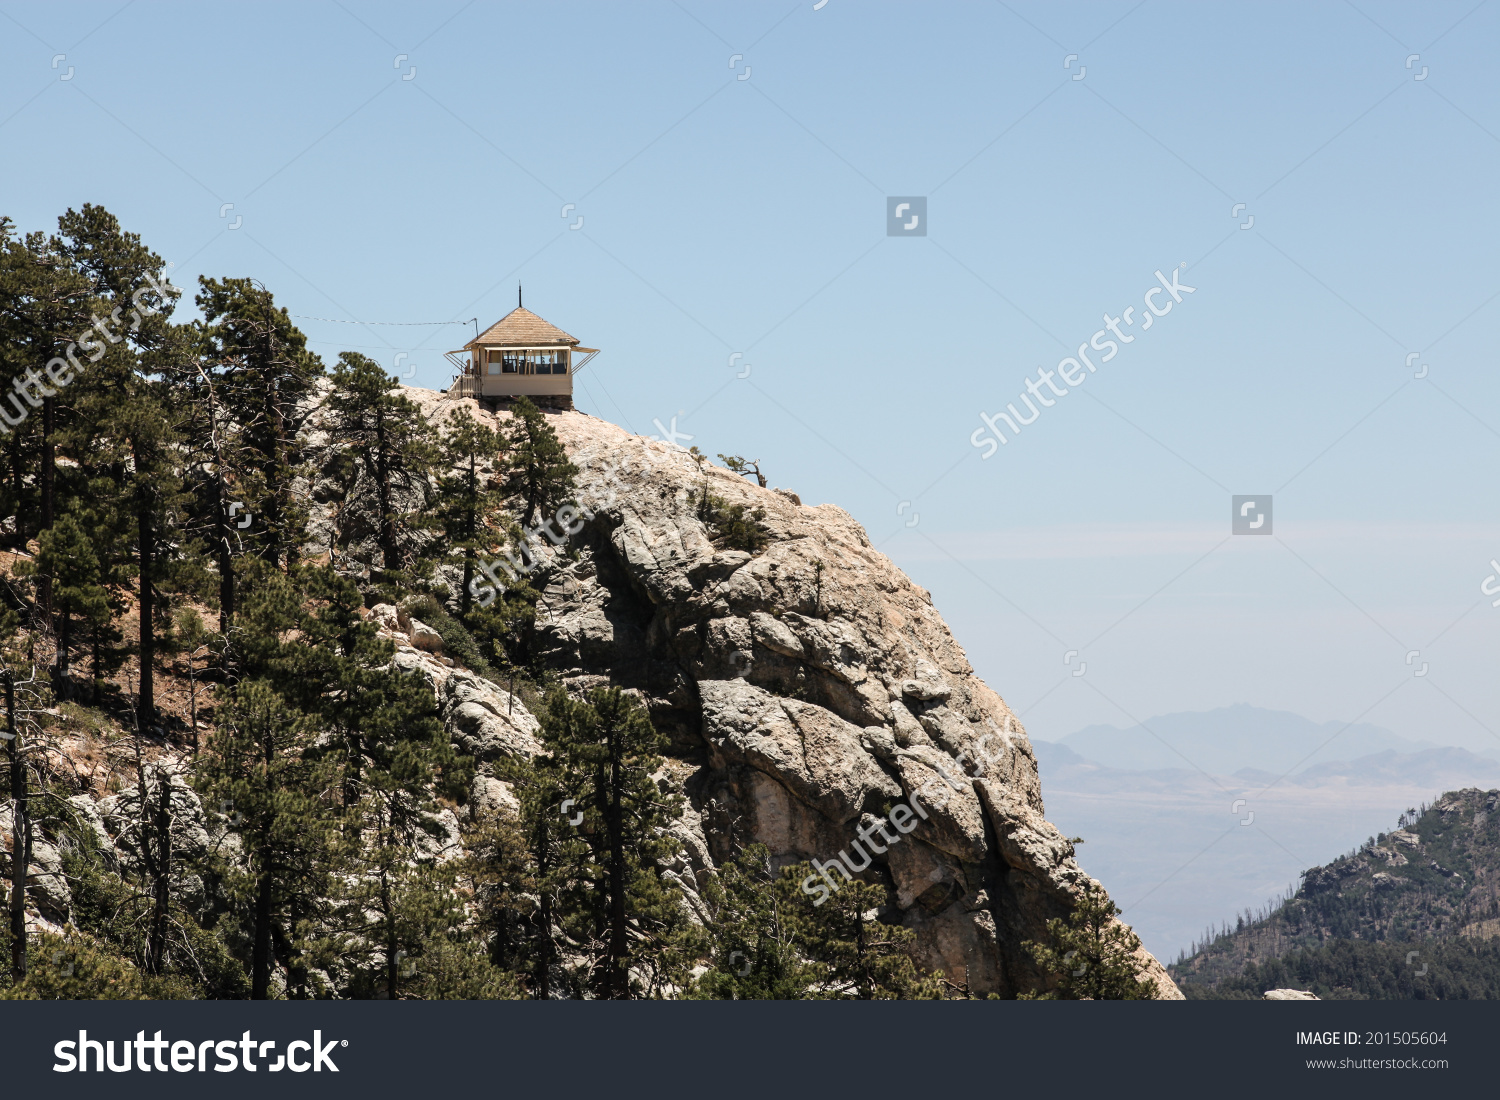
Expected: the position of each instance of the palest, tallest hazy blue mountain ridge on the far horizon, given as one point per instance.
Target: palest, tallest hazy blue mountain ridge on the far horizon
(1229, 739)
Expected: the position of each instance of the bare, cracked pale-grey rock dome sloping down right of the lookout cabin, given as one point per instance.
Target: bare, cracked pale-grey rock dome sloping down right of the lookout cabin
(808, 690)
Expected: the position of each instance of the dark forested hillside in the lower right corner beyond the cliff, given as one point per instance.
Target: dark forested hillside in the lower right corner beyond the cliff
(1411, 915)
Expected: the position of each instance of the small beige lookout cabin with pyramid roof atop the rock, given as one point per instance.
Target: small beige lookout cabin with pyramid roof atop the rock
(520, 356)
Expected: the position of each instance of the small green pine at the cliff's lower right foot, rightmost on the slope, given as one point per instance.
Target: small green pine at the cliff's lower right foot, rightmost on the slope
(1090, 955)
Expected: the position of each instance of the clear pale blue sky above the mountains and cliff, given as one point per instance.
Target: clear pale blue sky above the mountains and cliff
(727, 215)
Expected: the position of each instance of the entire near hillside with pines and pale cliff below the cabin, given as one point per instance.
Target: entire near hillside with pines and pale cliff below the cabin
(322, 687)
